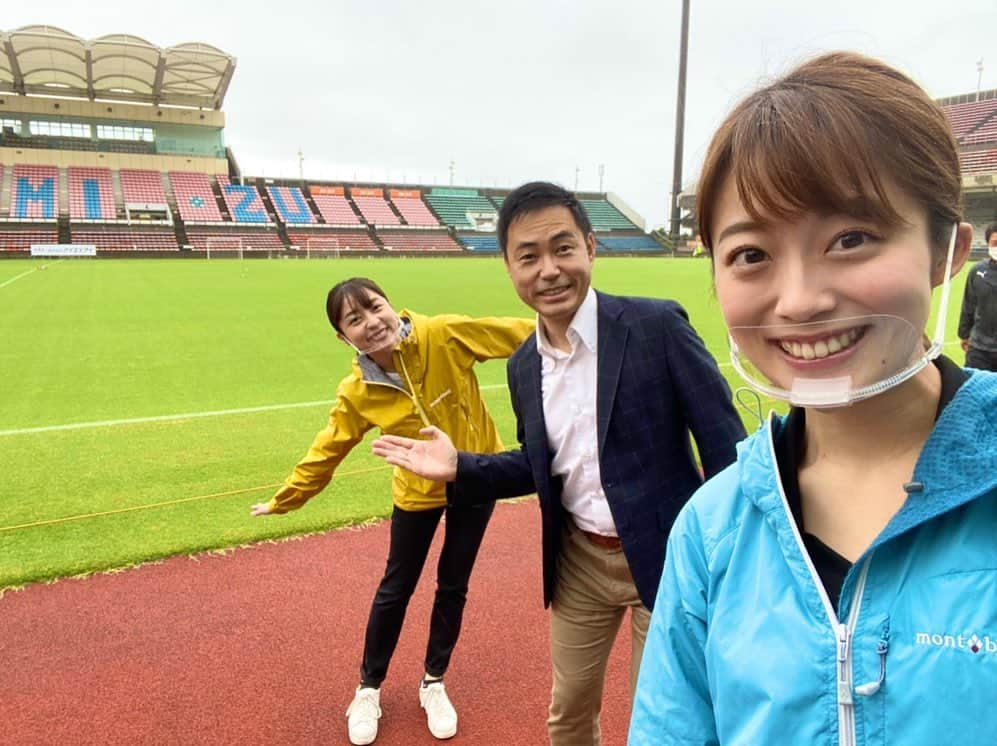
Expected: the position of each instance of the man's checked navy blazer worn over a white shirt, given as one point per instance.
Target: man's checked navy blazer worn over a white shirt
(656, 383)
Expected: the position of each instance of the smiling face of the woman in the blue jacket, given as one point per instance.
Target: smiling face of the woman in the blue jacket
(824, 296)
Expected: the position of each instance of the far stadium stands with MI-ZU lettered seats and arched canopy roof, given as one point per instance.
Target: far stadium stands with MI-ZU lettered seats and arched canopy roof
(150, 175)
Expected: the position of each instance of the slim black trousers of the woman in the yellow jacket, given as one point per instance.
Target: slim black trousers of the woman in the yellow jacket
(411, 536)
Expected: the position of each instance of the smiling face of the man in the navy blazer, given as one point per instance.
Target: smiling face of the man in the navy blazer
(549, 261)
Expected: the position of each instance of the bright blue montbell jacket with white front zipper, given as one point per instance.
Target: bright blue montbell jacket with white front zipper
(745, 648)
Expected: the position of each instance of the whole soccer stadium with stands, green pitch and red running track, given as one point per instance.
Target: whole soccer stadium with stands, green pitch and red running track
(147, 403)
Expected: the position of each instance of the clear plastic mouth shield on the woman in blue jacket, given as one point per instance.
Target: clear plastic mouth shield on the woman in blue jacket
(835, 363)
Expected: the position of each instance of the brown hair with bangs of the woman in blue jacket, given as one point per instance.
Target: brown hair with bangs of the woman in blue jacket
(828, 136)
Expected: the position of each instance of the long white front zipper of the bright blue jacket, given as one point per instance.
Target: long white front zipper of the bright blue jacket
(843, 633)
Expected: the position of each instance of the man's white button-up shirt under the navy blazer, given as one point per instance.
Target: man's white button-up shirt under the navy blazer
(568, 381)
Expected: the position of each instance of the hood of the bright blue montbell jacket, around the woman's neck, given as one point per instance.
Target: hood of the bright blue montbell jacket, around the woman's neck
(956, 465)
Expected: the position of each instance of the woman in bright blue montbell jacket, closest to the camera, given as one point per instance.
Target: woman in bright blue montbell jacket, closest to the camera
(838, 583)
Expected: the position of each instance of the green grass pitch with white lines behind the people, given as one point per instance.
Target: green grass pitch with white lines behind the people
(106, 341)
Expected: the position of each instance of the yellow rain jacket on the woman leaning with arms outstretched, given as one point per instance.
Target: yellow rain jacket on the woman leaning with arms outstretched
(435, 362)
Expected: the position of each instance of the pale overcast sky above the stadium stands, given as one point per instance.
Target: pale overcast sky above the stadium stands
(514, 90)
